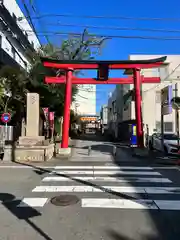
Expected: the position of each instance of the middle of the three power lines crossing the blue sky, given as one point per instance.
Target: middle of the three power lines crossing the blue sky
(115, 28)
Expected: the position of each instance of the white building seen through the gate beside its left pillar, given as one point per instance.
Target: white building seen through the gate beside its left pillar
(85, 100)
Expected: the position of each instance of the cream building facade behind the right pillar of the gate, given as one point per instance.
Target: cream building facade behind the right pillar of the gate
(151, 93)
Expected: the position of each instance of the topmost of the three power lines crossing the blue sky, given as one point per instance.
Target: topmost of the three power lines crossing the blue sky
(107, 17)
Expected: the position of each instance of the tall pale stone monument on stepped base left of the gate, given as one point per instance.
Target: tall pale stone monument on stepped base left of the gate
(31, 147)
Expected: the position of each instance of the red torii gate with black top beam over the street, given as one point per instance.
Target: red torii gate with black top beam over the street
(102, 78)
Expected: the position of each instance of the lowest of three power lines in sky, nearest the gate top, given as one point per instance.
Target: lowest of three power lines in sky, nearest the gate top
(111, 36)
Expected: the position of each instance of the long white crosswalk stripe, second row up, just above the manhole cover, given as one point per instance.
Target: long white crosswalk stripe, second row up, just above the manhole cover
(149, 190)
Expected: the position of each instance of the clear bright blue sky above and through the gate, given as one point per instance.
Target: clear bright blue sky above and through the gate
(115, 48)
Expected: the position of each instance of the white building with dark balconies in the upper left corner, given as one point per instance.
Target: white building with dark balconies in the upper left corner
(17, 39)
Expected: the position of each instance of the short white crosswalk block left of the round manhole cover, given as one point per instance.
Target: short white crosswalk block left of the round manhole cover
(33, 202)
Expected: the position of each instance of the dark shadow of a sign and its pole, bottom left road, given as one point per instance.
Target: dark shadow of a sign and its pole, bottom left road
(24, 212)
